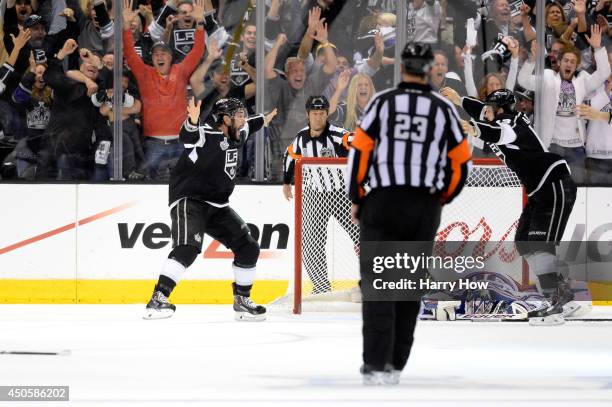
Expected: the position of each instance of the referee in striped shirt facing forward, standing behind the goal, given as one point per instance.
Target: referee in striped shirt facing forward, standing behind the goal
(320, 139)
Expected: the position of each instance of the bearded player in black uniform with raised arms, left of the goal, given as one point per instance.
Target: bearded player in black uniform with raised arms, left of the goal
(200, 187)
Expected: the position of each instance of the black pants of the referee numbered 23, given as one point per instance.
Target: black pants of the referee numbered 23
(394, 214)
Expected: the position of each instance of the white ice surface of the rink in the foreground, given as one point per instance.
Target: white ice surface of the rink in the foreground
(202, 356)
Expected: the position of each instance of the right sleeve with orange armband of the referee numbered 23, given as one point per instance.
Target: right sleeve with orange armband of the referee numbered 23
(459, 157)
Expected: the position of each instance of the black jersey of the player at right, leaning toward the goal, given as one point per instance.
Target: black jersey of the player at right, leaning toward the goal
(513, 139)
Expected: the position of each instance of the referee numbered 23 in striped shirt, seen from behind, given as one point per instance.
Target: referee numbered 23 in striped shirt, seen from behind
(412, 151)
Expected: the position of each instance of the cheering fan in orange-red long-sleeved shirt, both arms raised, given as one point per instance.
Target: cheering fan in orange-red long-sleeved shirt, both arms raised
(163, 88)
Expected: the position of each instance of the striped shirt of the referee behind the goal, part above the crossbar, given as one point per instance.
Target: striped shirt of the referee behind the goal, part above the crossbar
(333, 142)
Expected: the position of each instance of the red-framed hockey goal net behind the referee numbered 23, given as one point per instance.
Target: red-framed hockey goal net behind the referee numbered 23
(326, 242)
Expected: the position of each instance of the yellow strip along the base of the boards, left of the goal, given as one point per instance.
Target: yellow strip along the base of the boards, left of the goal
(14, 291)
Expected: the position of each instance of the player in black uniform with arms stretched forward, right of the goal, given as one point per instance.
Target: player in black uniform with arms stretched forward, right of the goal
(550, 190)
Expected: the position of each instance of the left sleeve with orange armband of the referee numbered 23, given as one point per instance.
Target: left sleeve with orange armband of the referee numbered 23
(360, 158)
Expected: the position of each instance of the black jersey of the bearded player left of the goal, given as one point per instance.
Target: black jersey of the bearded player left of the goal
(207, 167)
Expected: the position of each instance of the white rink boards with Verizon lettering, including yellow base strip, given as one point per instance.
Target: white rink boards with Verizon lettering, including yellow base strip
(106, 243)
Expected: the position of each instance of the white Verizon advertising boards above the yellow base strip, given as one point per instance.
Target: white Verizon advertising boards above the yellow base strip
(122, 232)
